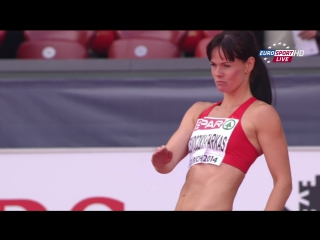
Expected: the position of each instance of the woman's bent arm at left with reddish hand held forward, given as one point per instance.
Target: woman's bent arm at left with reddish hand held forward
(168, 156)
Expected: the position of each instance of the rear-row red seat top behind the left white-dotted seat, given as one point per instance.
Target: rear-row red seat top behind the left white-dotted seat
(81, 36)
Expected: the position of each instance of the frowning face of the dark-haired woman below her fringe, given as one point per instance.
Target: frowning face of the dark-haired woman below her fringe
(229, 76)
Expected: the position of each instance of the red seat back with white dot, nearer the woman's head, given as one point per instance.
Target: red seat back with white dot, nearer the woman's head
(143, 48)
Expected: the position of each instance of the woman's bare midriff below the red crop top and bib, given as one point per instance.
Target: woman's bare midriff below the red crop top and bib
(209, 187)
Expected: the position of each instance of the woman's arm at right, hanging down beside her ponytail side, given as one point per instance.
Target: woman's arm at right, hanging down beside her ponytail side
(272, 140)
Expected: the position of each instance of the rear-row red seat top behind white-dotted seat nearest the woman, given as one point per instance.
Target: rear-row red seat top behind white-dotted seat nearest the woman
(176, 36)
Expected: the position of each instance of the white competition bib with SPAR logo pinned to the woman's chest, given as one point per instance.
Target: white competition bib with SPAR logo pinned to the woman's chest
(209, 140)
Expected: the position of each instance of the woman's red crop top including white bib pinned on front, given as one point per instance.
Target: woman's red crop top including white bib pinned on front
(217, 140)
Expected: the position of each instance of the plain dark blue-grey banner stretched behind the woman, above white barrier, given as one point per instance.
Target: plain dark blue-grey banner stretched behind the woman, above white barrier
(94, 113)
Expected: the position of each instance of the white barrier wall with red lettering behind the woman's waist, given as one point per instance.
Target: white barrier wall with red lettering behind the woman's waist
(124, 179)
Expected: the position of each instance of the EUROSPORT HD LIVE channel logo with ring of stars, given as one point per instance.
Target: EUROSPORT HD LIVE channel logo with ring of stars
(280, 55)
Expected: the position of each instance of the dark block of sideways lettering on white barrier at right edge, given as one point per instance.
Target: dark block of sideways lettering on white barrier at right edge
(310, 196)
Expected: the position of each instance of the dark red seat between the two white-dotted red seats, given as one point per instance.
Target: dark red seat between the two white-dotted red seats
(102, 40)
